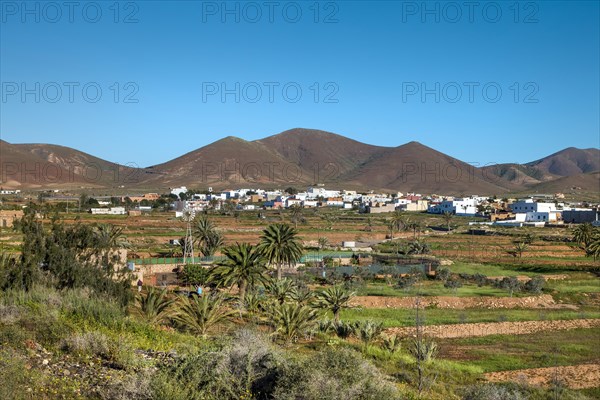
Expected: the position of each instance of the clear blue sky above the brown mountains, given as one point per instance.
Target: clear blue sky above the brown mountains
(375, 56)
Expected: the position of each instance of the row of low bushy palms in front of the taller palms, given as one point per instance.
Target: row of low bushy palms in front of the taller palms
(292, 311)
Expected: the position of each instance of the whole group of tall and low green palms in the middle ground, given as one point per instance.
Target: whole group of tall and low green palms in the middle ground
(289, 308)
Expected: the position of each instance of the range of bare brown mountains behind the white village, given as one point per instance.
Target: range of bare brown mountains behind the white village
(301, 157)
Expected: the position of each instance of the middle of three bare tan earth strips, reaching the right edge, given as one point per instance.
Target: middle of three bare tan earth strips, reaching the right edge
(496, 328)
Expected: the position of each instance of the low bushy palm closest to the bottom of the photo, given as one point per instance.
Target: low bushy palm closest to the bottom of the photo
(291, 320)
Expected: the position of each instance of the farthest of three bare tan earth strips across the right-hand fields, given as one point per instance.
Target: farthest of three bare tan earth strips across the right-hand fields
(543, 301)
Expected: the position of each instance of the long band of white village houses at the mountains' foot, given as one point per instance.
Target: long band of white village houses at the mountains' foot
(506, 211)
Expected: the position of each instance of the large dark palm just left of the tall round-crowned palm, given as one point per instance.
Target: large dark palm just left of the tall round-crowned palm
(244, 266)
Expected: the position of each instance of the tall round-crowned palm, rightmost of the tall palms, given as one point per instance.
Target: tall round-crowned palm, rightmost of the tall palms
(280, 245)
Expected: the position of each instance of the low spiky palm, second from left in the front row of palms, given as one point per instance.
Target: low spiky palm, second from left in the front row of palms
(201, 313)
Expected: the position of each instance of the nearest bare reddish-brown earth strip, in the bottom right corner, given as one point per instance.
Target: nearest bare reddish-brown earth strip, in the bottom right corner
(581, 376)
